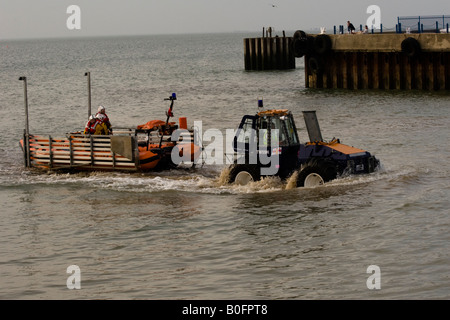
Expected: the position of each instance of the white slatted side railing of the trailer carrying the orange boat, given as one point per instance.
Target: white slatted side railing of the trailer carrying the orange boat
(118, 152)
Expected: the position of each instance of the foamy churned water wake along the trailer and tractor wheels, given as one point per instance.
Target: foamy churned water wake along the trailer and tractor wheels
(212, 180)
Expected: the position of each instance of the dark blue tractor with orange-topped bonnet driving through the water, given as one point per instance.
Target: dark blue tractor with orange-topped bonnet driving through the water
(267, 144)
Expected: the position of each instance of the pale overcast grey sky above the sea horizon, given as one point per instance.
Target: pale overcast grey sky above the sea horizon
(47, 18)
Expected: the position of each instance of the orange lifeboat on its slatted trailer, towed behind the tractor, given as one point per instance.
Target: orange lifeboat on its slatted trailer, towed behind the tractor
(146, 147)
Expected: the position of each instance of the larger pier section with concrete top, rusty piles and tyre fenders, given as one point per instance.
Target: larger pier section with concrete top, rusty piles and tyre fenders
(379, 61)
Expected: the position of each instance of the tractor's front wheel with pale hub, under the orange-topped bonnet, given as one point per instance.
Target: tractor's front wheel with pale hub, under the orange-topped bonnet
(316, 174)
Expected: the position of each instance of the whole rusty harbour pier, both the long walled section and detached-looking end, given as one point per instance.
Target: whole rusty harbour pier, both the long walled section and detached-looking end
(384, 61)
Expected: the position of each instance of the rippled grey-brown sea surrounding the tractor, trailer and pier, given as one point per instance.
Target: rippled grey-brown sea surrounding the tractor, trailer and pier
(185, 234)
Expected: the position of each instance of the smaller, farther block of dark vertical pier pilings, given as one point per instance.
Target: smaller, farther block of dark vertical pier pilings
(268, 53)
